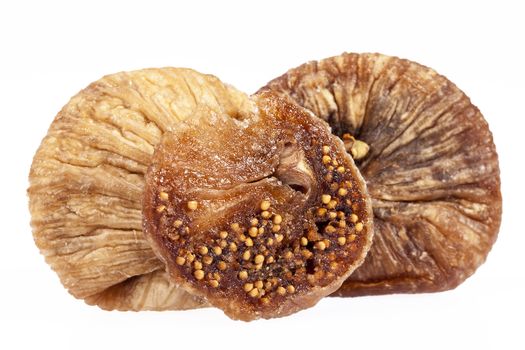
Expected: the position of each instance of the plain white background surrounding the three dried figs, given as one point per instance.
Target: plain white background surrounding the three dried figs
(50, 50)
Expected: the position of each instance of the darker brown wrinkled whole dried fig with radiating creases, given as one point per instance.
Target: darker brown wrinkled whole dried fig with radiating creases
(431, 168)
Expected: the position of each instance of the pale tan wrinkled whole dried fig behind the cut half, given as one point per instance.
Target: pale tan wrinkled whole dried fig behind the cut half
(87, 179)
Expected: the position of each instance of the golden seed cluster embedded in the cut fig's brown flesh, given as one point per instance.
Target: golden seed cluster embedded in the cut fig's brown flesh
(248, 245)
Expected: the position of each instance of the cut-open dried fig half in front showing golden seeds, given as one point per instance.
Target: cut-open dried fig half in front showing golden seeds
(261, 216)
